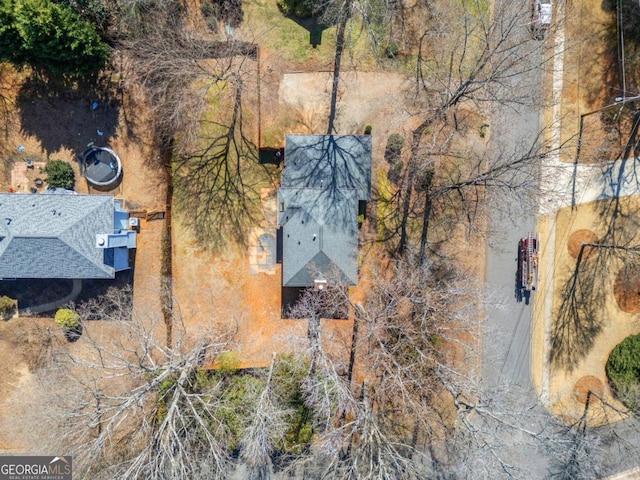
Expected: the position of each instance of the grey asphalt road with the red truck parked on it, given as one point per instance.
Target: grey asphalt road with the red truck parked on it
(507, 332)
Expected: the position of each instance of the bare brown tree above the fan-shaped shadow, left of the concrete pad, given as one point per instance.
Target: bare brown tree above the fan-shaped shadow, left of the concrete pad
(179, 73)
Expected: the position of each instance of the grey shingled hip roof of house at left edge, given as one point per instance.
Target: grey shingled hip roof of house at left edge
(54, 236)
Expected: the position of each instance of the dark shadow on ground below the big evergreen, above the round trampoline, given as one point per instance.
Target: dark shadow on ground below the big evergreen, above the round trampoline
(68, 114)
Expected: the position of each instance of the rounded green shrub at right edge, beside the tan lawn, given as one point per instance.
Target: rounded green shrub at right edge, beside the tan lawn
(623, 370)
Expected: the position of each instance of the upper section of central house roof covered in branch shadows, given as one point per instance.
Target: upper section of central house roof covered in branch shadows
(328, 162)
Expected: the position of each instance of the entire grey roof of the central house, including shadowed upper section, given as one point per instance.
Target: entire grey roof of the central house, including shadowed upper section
(324, 178)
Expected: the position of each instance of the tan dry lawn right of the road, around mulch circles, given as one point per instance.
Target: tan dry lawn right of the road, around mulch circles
(564, 390)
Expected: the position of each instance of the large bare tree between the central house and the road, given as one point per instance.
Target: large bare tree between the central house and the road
(486, 64)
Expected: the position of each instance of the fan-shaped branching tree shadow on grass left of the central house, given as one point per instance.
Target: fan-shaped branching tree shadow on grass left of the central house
(217, 186)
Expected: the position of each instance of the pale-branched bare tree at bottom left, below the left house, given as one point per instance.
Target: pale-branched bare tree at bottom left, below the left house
(135, 408)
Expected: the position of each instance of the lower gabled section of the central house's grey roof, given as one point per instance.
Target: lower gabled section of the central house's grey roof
(319, 235)
